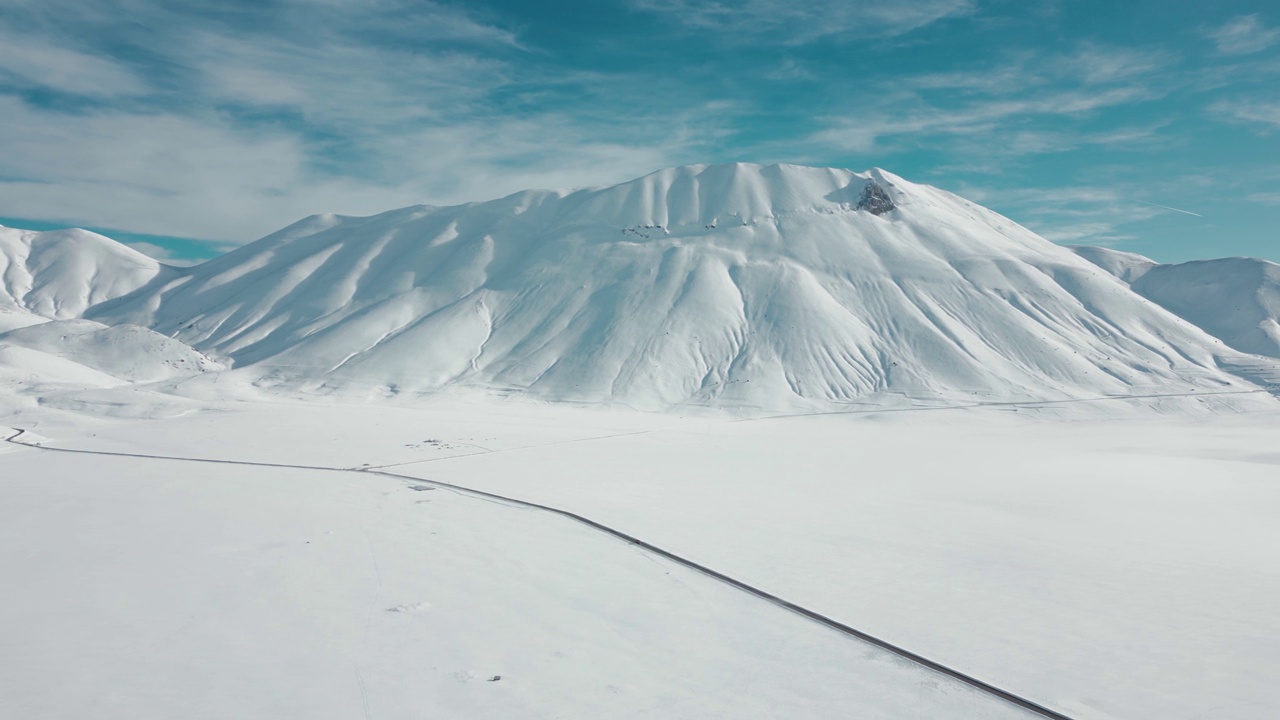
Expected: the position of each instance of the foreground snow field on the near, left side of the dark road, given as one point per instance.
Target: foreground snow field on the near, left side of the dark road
(150, 589)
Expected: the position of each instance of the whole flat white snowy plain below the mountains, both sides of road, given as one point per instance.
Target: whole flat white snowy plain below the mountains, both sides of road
(1105, 568)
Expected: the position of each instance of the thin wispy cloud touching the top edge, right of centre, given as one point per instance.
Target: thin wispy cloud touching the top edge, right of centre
(789, 22)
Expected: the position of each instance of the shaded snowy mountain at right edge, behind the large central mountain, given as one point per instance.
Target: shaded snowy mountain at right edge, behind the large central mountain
(1233, 299)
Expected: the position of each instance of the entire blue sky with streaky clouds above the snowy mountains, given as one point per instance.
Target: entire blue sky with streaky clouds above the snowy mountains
(1144, 126)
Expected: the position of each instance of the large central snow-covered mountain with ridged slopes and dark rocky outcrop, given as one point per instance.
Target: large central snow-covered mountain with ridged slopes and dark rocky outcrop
(762, 286)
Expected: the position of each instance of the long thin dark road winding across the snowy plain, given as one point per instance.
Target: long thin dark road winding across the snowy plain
(1000, 694)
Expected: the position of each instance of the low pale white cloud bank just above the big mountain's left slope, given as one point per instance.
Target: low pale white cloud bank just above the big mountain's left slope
(203, 177)
